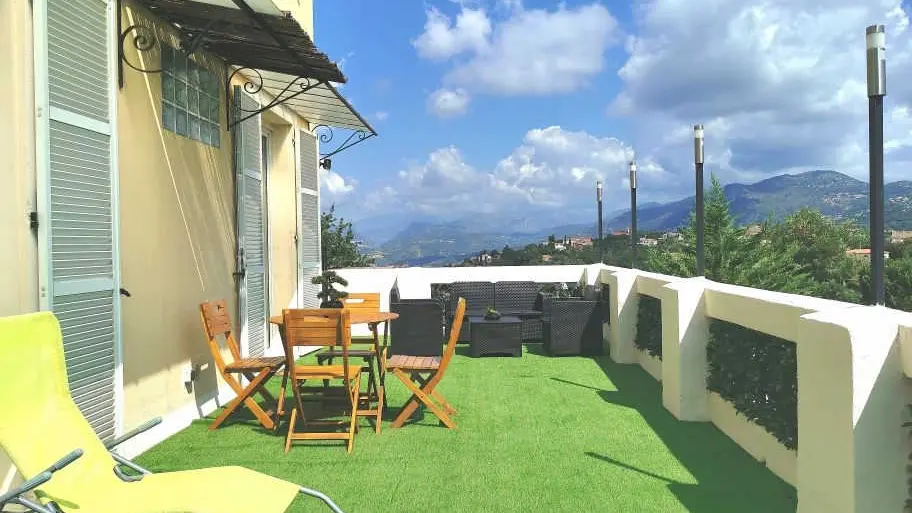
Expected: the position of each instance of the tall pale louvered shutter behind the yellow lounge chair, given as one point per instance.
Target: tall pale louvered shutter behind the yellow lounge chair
(77, 185)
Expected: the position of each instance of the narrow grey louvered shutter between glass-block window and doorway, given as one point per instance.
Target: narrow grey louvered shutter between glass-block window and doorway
(251, 228)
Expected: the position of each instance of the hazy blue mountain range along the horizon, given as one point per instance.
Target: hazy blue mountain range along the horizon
(838, 196)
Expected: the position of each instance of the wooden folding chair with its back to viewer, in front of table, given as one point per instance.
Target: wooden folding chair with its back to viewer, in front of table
(321, 327)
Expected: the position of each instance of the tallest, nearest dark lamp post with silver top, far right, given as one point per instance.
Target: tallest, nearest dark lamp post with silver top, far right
(877, 88)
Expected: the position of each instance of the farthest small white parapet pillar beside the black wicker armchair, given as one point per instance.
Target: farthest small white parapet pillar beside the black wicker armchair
(623, 302)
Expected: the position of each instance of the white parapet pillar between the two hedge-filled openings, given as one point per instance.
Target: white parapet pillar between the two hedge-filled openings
(685, 332)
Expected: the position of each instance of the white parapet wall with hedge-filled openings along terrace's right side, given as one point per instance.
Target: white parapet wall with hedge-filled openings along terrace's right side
(853, 387)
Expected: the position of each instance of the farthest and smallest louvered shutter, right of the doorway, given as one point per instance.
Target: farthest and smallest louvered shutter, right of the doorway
(309, 264)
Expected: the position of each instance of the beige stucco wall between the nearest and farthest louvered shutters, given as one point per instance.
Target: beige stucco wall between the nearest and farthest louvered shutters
(178, 246)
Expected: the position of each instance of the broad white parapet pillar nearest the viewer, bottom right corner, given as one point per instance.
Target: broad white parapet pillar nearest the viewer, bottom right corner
(852, 399)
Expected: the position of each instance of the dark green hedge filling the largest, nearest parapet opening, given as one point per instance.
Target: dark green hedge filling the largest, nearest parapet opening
(758, 374)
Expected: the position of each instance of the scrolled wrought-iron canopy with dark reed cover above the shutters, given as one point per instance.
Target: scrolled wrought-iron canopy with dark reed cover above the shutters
(268, 52)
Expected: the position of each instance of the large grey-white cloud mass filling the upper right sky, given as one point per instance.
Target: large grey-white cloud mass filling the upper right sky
(780, 84)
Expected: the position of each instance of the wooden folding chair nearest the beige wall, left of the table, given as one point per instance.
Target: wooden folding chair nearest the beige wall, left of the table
(217, 321)
